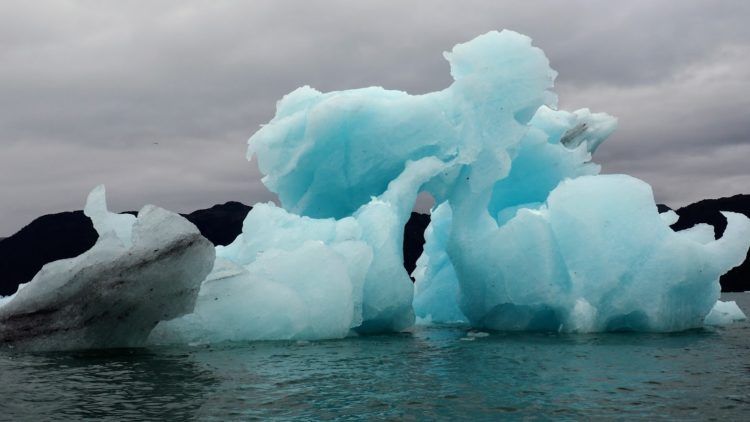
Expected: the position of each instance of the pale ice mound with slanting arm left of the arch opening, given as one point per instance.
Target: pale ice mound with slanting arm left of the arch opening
(295, 277)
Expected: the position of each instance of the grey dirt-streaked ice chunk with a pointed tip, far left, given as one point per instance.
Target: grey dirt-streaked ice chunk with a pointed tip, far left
(140, 271)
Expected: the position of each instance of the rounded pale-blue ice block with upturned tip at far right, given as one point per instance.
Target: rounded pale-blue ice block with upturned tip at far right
(595, 257)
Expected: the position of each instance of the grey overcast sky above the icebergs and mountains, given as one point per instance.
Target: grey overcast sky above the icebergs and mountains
(156, 99)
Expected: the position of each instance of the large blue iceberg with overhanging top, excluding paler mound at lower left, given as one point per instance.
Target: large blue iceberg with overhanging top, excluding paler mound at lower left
(526, 234)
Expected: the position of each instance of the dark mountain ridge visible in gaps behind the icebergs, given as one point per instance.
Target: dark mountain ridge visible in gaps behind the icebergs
(68, 234)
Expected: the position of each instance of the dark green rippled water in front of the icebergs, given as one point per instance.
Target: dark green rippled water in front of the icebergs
(430, 373)
